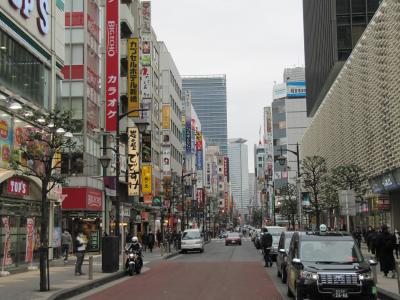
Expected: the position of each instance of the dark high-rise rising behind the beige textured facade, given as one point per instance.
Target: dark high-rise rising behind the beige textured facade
(331, 30)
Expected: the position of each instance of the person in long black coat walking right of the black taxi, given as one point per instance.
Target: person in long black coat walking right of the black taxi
(386, 244)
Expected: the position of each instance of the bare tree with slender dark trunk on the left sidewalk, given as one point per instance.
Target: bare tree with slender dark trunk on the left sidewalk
(40, 157)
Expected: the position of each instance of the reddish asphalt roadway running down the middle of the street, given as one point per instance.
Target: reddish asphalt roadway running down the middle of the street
(221, 272)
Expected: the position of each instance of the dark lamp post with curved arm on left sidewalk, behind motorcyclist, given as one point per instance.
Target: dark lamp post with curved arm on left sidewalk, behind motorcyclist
(105, 161)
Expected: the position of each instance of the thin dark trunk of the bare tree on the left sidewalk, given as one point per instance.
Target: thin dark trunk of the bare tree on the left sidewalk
(43, 239)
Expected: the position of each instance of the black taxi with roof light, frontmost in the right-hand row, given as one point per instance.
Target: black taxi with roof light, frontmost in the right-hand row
(328, 265)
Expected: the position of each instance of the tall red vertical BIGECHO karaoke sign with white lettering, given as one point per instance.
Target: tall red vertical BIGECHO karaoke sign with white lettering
(112, 64)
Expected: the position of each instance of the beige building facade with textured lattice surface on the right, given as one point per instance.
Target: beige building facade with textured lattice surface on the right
(363, 109)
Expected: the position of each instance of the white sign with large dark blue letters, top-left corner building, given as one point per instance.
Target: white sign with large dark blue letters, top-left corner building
(26, 9)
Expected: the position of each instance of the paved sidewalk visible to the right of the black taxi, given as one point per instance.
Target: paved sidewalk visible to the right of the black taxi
(387, 286)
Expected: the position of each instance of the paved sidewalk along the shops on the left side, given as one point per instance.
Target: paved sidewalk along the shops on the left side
(25, 286)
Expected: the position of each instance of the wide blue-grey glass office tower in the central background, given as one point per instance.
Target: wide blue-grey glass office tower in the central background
(209, 99)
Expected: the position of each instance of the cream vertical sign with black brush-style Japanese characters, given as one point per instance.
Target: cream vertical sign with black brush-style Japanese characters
(133, 161)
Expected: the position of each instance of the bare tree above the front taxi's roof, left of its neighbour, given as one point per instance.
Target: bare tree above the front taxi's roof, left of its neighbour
(314, 171)
